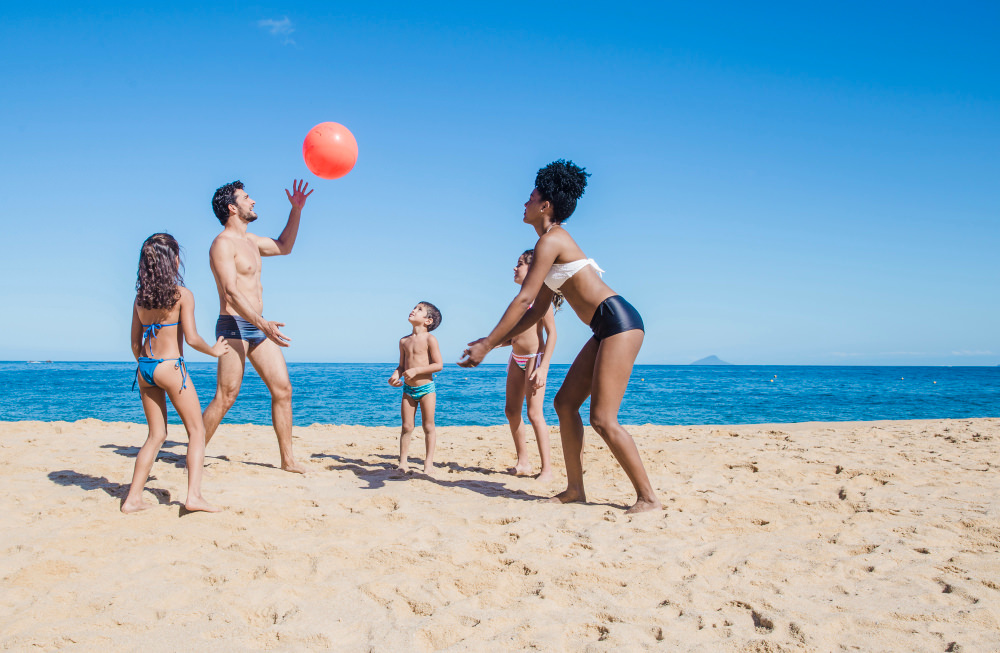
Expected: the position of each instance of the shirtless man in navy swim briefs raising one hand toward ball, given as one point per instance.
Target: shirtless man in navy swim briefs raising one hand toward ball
(235, 257)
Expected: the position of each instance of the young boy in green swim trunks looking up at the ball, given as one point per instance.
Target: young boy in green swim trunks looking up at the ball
(419, 359)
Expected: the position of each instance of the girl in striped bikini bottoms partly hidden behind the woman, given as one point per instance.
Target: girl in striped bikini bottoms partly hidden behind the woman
(527, 369)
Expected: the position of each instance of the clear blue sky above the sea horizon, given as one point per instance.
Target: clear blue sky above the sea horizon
(789, 184)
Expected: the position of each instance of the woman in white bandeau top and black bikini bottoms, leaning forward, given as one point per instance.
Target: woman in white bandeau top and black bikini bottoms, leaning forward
(602, 368)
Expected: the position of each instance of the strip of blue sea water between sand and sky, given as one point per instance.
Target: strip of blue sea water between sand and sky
(657, 394)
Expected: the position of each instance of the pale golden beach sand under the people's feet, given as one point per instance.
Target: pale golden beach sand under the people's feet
(872, 536)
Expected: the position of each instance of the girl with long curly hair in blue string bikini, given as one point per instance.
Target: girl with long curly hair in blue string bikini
(163, 314)
